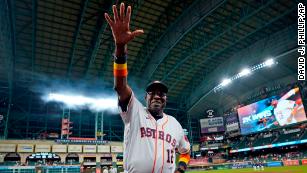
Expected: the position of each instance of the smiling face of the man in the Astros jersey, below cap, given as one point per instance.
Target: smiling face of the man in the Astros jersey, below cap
(156, 100)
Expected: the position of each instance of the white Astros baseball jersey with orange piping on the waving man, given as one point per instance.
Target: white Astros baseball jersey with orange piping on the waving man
(149, 145)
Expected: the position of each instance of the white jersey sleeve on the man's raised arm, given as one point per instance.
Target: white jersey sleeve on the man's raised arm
(132, 108)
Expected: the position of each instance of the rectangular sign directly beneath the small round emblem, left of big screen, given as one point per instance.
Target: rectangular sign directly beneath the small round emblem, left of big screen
(210, 125)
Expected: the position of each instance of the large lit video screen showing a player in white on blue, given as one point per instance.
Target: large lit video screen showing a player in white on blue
(276, 111)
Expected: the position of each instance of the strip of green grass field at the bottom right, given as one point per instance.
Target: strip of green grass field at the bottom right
(284, 169)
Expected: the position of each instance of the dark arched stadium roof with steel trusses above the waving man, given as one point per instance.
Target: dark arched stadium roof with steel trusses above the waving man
(189, 45)
